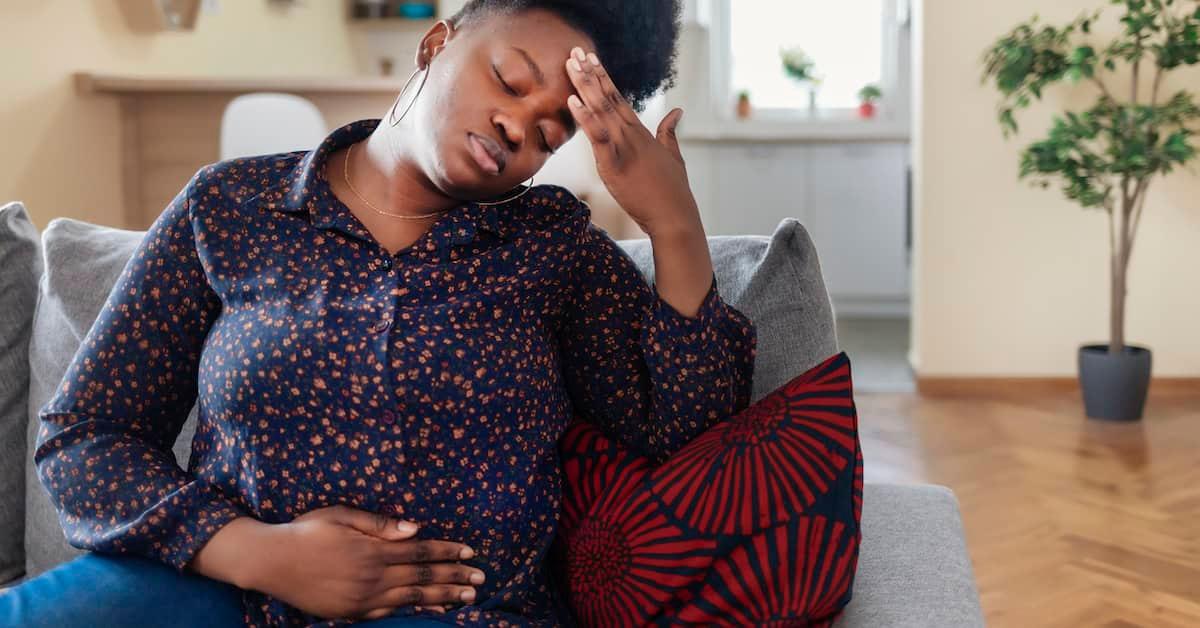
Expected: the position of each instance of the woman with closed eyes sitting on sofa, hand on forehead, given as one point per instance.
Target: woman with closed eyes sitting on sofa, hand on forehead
(392, 330)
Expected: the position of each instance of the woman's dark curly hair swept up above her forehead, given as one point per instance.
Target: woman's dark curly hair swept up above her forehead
(637, 40)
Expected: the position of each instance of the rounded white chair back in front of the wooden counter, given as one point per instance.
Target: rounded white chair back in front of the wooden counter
(266, 123)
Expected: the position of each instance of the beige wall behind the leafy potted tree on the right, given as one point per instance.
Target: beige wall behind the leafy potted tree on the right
(1010, 279)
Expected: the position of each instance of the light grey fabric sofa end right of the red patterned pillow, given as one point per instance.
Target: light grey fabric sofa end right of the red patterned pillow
(914, 567)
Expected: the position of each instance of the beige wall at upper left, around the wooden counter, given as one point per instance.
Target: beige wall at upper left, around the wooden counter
(61, 149)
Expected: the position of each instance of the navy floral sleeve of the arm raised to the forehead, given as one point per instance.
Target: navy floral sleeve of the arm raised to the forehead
(644, 373)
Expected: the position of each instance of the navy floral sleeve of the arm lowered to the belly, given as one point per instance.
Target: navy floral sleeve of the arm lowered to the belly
(104, 448)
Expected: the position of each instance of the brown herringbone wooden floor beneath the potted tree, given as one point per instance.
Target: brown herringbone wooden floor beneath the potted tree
(1070, 522)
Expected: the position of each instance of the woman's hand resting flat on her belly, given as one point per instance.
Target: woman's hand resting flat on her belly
(341, 563)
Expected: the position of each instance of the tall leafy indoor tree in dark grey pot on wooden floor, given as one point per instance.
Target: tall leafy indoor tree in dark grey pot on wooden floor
(1106, 157)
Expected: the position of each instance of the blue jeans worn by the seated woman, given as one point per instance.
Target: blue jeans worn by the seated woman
(110, 591)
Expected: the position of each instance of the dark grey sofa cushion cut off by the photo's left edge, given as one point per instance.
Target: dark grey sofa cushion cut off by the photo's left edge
(21, 266)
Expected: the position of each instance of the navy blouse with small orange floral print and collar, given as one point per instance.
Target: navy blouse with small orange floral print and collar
(431, 385)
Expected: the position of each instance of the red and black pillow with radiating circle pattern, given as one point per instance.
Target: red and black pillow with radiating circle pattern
(755, 522)
